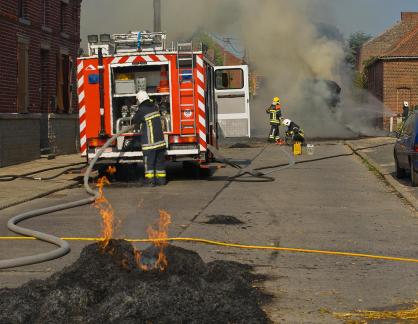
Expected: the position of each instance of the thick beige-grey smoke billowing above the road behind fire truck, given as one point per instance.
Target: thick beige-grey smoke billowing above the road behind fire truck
(289, 43)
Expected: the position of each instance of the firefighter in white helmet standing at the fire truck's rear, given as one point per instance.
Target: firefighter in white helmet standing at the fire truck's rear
(152, 140)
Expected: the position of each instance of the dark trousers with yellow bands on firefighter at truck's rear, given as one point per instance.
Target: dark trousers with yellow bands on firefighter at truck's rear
(155, 172)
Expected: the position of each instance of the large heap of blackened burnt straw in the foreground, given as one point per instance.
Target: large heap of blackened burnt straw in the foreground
(109, 288)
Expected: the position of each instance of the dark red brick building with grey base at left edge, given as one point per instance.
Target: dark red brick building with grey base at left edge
(40, 43)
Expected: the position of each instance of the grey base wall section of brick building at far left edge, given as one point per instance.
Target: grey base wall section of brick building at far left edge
(19, 138)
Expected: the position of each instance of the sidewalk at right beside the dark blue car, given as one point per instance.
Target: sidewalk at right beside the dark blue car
(381, 158)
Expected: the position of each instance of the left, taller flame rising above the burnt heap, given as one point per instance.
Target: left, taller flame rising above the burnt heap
(106, 212)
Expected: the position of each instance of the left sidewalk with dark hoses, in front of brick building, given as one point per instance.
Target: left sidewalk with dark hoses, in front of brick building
(18, 191)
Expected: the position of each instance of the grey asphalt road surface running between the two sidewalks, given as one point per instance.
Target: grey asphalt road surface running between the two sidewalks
(335, 204)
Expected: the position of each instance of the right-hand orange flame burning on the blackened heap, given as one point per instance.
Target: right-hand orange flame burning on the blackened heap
(159, 236)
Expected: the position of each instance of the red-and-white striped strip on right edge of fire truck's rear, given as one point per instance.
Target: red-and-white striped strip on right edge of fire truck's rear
(201, 85)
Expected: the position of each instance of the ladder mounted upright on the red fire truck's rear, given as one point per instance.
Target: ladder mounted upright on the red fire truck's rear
(185, 67)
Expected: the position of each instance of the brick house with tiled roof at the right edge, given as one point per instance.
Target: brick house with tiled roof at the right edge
(390, 62)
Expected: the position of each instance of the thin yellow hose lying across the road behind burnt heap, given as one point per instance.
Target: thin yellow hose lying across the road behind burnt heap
(232, 245)
